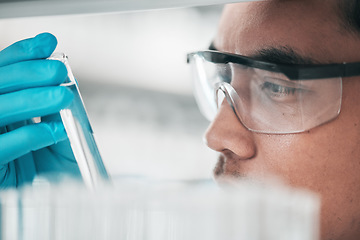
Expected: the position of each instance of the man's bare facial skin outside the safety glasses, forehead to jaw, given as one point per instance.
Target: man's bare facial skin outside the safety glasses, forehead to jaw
(325, 159)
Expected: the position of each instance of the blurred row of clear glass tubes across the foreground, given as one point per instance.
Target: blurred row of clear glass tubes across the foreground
(155, 210)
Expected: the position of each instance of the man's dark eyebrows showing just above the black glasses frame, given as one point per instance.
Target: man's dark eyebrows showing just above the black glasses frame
(278, 55)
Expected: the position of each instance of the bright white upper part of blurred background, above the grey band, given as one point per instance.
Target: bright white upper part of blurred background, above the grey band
(146, 49)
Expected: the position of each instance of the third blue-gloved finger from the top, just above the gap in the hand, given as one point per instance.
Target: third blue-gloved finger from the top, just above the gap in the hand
(34, 102)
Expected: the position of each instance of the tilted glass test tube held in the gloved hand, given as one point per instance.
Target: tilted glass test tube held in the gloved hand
(80, 133)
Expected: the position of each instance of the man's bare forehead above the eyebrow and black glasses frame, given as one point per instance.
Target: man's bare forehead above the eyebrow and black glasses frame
(310, 27)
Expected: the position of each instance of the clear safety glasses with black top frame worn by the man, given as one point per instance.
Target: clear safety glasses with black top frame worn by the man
(266, 97)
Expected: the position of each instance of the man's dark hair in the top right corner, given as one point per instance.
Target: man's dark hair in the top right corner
(350, 15)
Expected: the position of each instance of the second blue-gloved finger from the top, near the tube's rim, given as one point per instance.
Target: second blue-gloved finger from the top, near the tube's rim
(29, 74)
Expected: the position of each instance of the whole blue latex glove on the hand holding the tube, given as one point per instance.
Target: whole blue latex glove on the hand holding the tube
(29, 87)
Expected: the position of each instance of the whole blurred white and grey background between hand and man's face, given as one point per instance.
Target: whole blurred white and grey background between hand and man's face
(132, 72)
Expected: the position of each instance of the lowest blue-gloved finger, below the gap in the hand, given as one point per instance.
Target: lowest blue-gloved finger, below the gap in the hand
(28, 138)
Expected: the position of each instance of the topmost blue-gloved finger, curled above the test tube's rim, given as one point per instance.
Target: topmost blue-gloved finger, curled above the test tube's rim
(39, 47)
